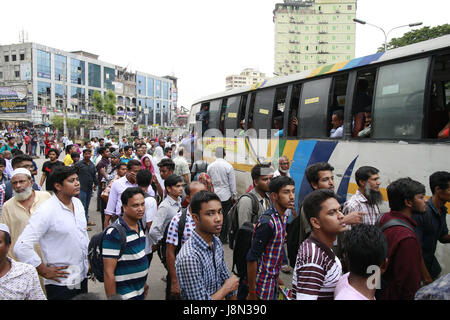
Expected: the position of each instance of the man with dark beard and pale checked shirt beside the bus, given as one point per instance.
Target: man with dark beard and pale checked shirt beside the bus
(368, 195)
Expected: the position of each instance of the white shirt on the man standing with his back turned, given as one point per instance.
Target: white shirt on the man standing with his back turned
(223, 179)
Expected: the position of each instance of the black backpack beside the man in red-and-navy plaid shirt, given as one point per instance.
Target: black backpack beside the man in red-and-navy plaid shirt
(244, 239)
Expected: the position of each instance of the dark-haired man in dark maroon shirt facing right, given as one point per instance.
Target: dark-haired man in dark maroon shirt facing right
(403, 274)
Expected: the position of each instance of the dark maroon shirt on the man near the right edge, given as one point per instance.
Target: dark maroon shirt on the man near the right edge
(404, 256)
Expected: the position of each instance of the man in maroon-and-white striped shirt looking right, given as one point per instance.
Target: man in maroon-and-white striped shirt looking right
(318, 269)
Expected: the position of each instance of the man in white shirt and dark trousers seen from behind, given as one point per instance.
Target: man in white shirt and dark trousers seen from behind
(224, 182)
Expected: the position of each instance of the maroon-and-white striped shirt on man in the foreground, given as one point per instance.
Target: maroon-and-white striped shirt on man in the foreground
(317, 272)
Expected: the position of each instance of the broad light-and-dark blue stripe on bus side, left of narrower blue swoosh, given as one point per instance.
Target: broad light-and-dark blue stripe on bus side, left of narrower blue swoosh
(307, 153)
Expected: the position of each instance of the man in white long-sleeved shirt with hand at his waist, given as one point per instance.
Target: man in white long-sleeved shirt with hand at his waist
(59, 226)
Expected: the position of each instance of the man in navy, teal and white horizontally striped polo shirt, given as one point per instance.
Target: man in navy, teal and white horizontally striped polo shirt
(126, 276)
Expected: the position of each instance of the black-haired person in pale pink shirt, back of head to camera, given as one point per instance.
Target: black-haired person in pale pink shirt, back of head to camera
(367, 249)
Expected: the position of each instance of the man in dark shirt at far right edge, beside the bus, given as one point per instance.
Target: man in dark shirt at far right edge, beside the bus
(432, 226)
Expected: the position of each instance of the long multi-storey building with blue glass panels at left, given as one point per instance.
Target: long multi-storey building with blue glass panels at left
(49, 80)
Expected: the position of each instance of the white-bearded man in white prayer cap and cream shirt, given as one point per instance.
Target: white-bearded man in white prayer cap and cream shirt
(17, 211)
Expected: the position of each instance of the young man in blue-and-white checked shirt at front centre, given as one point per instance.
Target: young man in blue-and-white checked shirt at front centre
(200, 265)
